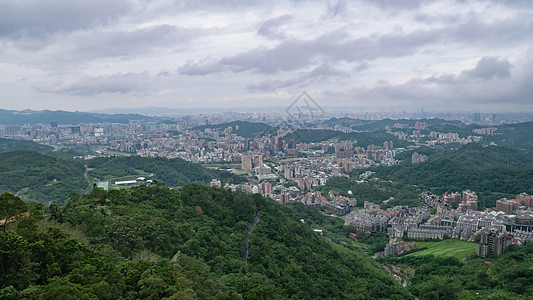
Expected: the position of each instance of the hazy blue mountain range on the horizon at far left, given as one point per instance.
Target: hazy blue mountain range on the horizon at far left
(13, 117)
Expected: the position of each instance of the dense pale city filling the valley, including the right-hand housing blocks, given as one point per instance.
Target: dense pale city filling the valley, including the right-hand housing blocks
(279, 163)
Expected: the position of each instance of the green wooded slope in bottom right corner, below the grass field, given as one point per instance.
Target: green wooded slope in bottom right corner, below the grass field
(439, 276)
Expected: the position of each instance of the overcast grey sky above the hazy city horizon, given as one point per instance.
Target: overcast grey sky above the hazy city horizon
(97, 54)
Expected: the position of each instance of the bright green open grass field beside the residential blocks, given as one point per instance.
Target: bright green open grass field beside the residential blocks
(449, 247)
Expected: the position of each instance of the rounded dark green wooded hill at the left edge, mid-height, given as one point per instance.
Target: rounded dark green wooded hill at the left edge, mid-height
(40, 178)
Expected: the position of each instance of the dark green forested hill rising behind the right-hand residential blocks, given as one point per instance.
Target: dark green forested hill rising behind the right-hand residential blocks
(494, 171)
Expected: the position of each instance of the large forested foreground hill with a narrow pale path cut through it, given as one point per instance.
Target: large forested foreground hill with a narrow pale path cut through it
(153, 242)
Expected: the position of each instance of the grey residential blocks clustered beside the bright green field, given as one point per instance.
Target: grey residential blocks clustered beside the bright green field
(495, 230)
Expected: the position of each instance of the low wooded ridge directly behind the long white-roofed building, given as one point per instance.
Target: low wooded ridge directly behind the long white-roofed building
(173, 172)
